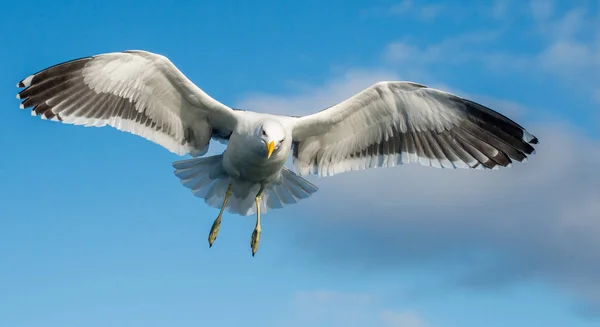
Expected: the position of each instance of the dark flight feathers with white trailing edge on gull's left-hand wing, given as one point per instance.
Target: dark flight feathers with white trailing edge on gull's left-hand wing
(59, 93)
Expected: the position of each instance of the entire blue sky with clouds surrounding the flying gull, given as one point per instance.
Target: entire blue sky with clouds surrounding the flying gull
(95, 229)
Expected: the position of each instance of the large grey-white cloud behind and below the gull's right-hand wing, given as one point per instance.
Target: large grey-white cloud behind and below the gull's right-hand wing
(537, 220)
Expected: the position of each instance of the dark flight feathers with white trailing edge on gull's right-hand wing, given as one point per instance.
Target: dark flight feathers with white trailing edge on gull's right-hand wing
(484, 139)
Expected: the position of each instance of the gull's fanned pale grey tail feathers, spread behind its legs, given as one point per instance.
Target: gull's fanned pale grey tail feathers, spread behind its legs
(206, 179)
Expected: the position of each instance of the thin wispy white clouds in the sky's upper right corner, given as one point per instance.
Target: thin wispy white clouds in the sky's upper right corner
(561, 45)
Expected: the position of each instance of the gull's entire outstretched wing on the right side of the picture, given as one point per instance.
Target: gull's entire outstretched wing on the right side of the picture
(391, 123)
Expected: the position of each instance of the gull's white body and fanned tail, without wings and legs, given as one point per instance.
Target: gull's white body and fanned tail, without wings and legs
(244, 167)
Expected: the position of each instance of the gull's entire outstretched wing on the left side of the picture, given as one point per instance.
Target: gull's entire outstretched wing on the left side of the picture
(134, 91)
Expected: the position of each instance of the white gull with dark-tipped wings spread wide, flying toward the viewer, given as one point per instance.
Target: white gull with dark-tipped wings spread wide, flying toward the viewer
(388, 124)
